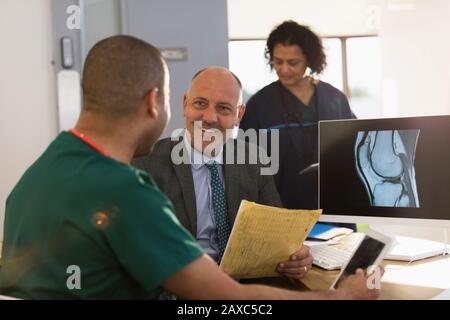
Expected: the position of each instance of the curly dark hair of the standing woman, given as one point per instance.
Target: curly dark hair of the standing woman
(291, 33)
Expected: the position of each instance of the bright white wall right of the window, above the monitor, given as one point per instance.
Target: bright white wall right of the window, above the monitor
(416, 58)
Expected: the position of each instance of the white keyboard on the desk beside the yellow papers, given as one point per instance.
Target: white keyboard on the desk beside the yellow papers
(330, 257)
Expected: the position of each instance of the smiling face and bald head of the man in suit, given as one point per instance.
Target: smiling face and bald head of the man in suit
(215, 99)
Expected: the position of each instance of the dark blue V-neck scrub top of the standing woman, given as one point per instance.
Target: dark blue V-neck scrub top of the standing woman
(298, 135)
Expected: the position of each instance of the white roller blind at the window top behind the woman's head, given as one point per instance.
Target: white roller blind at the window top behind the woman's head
(256, 18)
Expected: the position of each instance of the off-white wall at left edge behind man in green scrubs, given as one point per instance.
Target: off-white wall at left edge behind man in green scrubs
(27, 92)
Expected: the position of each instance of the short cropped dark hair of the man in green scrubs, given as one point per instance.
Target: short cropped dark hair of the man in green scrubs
(118, 73)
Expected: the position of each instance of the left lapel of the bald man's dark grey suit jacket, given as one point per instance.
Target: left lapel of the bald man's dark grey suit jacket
(184, 174)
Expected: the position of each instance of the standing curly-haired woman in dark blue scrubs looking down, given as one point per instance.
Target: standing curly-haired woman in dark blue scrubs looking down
(294, 104)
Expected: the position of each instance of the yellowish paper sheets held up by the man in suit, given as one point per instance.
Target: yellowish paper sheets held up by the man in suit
(262, 237)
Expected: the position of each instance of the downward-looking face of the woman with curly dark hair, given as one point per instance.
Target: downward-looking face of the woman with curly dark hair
(290, 64)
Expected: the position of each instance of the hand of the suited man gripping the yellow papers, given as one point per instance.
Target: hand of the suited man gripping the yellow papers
(298, 264)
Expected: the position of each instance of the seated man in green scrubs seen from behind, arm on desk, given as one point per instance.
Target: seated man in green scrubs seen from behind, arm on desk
(83, 223)
